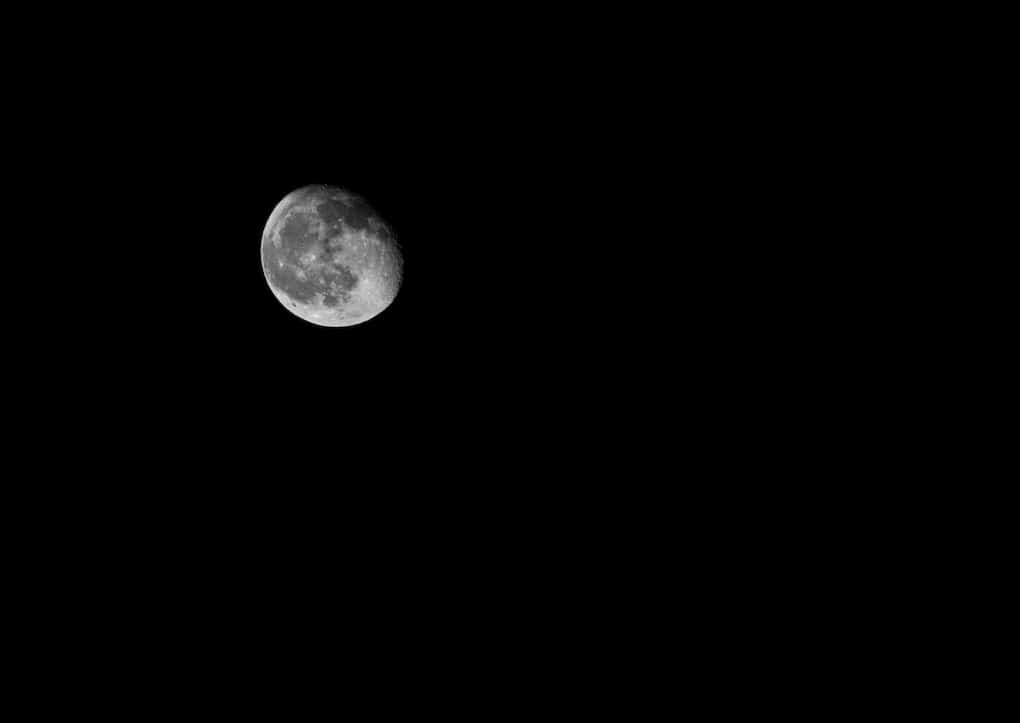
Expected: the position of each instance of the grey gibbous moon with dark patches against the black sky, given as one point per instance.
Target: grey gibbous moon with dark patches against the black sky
(330, 259)
